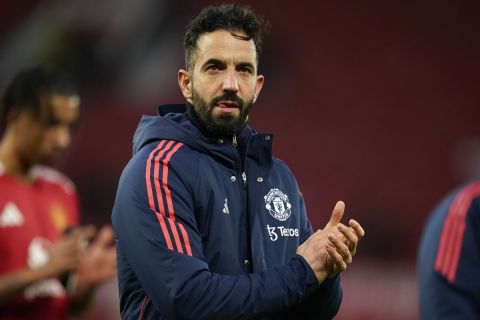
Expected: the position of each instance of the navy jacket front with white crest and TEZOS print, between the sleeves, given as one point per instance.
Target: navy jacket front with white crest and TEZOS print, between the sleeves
(253, 220)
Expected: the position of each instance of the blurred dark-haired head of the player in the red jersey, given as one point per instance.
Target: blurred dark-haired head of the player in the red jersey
(39, 109)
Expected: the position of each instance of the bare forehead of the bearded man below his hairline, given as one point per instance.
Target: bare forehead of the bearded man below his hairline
(225, 46)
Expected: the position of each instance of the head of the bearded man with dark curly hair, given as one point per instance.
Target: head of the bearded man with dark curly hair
(222, 46)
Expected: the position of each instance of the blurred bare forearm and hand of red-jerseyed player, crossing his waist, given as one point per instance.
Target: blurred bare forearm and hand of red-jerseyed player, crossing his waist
(65, 256)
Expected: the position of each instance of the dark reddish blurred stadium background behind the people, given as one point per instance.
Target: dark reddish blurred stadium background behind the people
(372, 102)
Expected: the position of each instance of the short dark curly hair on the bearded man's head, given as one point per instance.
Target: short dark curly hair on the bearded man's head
(229, 17)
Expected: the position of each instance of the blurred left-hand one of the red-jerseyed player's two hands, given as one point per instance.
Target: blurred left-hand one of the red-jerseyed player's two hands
(67, 253)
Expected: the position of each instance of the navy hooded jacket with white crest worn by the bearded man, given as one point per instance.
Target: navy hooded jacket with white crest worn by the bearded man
(208, 228)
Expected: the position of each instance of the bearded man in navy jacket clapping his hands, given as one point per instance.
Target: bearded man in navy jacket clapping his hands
(209, 225)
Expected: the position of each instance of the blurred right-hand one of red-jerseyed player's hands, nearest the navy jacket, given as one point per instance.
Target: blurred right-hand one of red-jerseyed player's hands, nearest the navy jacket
(99, 263)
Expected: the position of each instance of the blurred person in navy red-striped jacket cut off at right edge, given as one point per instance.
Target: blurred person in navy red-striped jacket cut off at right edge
(449, 257)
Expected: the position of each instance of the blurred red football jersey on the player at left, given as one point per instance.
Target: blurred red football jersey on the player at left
(32, 217)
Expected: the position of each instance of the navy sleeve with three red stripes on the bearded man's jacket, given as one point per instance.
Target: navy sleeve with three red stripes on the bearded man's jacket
(155, 227)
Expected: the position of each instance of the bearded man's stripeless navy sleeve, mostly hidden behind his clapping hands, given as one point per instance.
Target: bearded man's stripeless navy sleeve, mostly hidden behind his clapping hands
(325, 302)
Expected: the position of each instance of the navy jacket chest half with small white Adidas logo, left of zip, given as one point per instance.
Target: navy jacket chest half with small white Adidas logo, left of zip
(221, 214)
